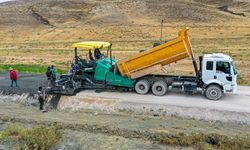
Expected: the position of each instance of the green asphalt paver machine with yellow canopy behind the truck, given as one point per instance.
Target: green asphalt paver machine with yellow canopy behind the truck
(94, 72)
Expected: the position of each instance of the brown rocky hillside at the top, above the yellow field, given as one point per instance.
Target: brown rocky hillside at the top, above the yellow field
(58, 13)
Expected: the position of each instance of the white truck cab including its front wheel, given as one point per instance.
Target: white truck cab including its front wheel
(218, 75)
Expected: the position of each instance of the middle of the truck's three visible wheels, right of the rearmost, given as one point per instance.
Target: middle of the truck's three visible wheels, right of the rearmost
(159, 88)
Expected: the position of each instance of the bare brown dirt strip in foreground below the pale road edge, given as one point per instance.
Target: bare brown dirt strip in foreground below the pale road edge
(168, 131)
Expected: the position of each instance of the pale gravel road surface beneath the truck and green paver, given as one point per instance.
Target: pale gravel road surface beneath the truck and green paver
(239, 102)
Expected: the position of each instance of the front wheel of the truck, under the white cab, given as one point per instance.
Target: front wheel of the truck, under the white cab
(213, 92)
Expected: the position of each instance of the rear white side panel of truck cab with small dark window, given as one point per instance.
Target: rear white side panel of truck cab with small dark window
(208, 71)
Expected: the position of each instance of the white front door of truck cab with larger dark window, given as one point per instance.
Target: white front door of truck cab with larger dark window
(223, 74)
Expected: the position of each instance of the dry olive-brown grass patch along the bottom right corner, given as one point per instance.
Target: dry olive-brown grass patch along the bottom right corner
(208, 141)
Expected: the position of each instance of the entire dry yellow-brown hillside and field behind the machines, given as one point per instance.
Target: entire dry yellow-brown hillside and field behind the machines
(41, 31)
